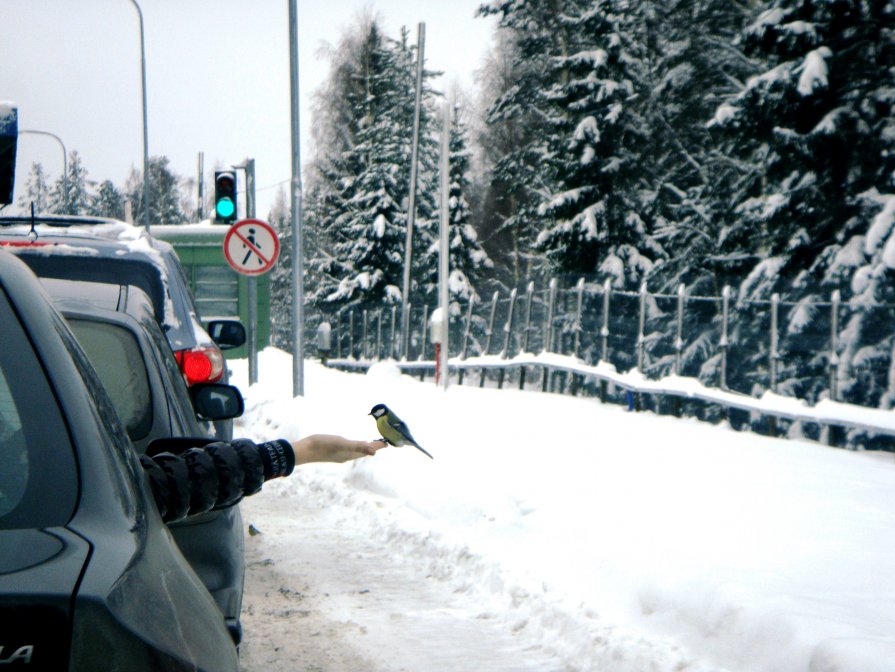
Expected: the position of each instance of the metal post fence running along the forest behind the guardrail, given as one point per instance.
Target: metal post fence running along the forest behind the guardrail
(792, 348)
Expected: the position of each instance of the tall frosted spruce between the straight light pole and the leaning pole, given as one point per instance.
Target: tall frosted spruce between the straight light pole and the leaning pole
(360, 172)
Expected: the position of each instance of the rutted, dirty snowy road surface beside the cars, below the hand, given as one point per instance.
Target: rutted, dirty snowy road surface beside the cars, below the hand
(323, 596)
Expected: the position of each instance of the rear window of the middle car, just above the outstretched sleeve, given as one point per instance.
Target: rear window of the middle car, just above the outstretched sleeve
(116, 355)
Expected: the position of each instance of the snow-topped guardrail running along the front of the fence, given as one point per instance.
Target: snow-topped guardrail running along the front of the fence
(825, 413)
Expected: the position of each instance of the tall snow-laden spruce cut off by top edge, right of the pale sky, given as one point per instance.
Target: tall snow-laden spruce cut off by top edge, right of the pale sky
(589, 186)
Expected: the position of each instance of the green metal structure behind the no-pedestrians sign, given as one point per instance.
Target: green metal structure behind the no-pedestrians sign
(219, 290)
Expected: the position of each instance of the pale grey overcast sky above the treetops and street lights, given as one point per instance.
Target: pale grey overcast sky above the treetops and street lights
(217, 76)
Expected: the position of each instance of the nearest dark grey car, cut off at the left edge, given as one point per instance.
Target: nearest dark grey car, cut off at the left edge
(90, 578)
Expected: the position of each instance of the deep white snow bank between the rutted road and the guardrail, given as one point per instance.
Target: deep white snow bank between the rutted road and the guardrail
(620, 541)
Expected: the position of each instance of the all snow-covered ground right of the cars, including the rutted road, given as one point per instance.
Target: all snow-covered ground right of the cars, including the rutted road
(555, 533)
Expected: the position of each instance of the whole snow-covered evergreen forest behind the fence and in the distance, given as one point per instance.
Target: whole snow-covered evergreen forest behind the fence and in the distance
(709, 144)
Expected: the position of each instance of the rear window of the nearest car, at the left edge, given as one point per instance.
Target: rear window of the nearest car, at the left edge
(38, 478)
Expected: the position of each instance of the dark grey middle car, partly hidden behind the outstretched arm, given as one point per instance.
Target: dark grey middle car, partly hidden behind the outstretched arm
(116, 327)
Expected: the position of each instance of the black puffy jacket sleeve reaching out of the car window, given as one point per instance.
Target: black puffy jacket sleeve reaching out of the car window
(188, 479)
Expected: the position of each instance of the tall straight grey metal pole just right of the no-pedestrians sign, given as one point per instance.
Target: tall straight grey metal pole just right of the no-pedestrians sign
(298, 313)
